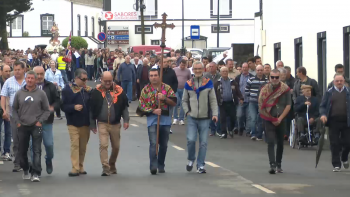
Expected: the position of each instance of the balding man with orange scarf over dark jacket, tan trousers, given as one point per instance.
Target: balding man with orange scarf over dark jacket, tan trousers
(108, 104)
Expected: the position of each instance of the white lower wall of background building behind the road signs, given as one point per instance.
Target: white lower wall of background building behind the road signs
(241, 31)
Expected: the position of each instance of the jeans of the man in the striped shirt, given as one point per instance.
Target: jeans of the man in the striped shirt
(255, 120)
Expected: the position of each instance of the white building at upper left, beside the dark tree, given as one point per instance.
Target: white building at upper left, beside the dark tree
(38, 22)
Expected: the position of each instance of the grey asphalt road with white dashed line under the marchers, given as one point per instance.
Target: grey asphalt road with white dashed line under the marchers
(236, 167)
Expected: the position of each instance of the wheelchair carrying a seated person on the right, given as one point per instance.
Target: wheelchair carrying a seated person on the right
(311, 138)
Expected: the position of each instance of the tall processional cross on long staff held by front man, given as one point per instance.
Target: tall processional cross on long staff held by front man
(163, 25)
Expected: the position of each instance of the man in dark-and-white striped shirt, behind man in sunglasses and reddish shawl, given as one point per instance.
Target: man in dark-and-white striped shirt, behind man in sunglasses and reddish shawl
(252, 91)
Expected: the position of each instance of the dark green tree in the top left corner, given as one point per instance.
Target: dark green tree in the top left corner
(7, 6)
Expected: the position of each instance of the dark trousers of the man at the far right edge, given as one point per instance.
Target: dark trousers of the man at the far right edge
(339, 137)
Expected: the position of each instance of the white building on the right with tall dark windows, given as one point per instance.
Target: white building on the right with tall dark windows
(314, 34)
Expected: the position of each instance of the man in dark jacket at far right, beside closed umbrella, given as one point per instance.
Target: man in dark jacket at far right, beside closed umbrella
(335, 113)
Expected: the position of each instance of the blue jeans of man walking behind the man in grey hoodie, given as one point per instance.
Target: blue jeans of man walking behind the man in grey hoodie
(48, 142)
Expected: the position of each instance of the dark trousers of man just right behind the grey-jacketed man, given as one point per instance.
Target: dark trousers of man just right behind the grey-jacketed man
(227, 109)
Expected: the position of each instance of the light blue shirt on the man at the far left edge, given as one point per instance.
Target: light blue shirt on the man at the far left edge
(11, 86)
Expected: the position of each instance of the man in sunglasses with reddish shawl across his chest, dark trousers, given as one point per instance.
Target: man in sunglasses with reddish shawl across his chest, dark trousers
(274, 104)
